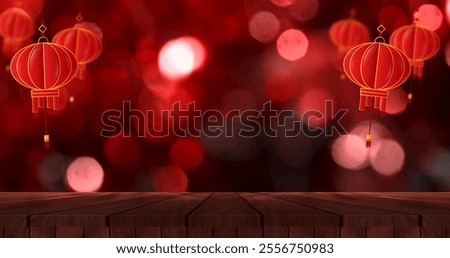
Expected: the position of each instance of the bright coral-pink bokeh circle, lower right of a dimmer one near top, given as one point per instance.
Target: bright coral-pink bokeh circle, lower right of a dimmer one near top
(292, 44)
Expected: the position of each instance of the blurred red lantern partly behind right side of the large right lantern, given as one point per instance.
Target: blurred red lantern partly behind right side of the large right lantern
(418, 43)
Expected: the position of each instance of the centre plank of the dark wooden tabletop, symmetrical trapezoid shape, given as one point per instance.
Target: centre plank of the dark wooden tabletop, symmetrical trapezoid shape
(224, 210)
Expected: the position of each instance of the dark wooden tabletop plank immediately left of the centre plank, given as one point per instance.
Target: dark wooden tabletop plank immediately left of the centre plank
(171, 215)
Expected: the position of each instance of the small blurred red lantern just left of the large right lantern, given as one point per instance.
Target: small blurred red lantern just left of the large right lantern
(348, 33)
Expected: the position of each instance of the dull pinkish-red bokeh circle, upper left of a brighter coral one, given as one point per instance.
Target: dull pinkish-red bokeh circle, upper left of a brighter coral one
(264, 26)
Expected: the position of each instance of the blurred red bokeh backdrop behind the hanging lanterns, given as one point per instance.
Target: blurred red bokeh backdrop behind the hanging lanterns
(240, 70)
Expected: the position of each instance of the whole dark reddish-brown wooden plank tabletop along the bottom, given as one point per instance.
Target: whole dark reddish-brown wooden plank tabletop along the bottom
(304, 215)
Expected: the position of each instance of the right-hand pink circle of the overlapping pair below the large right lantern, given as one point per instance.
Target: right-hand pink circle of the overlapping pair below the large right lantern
(389, 157)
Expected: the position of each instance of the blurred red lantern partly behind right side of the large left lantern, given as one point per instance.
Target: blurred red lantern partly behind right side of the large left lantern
(83, 42)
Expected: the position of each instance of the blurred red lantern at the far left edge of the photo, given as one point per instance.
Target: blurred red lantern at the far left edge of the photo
(16, 27)
